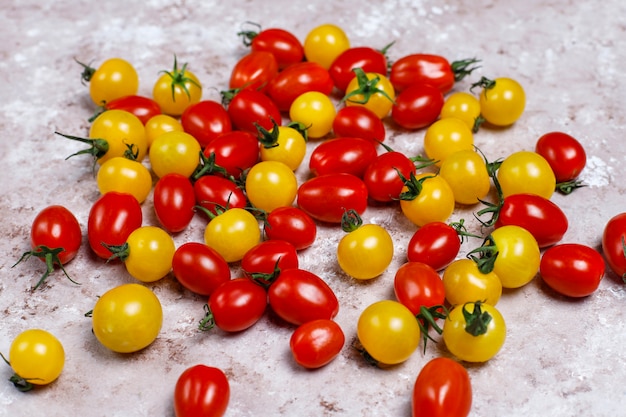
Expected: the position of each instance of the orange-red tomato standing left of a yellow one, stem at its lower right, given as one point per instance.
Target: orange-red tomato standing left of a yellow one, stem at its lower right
(418, 285)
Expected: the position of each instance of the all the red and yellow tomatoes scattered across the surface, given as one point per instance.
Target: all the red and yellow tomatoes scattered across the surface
(234, 163)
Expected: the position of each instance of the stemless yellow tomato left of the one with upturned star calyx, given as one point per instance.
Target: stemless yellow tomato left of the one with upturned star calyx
(388, 332)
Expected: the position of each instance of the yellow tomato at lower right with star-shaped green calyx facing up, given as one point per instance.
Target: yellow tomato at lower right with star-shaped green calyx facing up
(474, 332)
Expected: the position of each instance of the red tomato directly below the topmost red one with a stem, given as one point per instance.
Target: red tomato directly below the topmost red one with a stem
(253, 71)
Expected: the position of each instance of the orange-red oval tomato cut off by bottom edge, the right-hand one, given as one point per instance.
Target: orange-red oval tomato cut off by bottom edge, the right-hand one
(442, 389)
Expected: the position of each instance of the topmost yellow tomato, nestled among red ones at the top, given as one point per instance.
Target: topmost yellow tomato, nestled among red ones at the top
(324, 43)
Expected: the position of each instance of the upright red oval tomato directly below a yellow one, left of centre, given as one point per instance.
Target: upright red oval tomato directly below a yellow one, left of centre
(174, 201)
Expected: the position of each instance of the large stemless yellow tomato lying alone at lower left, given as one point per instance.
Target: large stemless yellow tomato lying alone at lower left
(127, 318)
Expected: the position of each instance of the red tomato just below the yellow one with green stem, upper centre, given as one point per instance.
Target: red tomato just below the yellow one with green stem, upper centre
(360, 122)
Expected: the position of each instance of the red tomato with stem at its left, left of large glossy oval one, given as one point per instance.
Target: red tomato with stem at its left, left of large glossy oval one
(237, 304)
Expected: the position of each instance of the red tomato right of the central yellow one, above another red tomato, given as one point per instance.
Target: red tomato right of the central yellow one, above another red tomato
(291, 224)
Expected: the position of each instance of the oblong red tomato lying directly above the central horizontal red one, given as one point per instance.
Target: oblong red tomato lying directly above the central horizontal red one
(350, 155)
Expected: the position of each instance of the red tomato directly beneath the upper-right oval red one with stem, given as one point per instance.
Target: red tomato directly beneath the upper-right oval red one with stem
(417, 106)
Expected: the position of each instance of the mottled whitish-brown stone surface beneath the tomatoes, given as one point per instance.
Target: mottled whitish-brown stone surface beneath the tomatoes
(561, 357)
